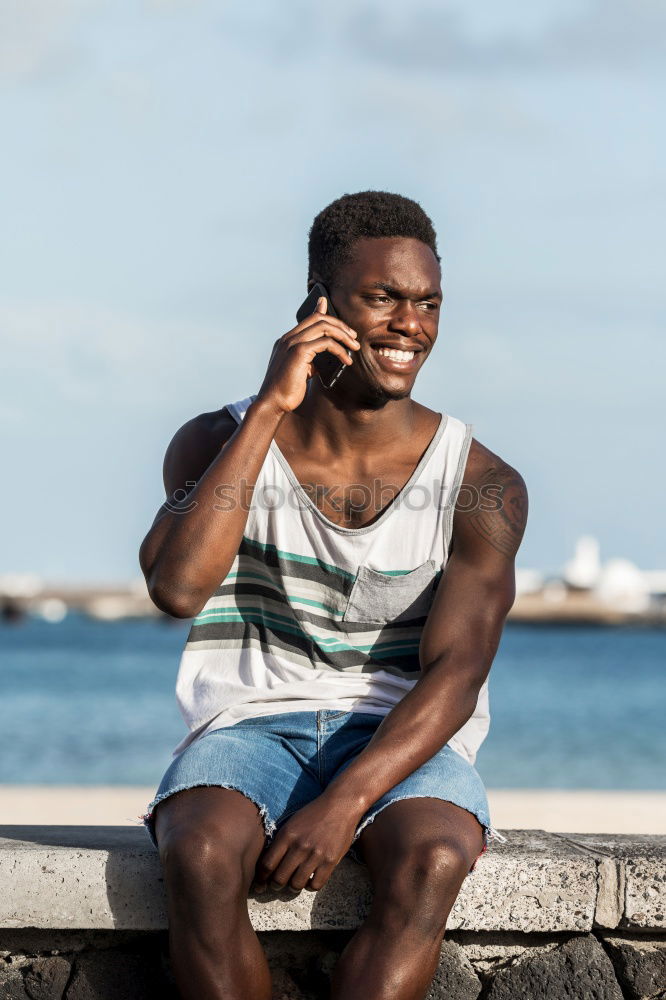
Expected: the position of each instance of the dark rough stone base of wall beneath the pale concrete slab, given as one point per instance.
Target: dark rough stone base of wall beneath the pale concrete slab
(135, 965)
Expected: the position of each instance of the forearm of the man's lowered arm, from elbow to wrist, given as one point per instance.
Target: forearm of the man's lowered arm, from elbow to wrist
(422, 722)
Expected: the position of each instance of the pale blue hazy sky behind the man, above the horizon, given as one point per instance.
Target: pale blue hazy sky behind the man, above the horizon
(163, 161)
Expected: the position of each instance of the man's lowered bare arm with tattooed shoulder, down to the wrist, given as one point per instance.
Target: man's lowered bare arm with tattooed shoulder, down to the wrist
(459, 640)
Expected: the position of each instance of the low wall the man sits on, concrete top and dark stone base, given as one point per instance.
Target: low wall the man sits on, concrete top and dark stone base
(82, 917)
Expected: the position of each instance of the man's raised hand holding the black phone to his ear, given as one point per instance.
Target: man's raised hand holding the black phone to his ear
(290, 365)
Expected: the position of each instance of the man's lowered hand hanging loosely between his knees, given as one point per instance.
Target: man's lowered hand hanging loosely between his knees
(312, 841)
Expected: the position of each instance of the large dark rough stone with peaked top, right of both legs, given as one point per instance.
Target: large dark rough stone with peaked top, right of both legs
(579, 970)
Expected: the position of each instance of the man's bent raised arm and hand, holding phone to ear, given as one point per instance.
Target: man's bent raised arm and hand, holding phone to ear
(195, 537)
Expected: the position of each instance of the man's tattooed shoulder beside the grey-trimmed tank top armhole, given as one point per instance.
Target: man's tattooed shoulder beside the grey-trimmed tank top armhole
(492, 503)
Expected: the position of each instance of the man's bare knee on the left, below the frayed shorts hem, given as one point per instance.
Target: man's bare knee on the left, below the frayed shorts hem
(199, 859)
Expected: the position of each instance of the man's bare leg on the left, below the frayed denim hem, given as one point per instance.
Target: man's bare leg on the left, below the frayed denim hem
(209, 841)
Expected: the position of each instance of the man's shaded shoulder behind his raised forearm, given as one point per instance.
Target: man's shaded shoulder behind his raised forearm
(194, 446)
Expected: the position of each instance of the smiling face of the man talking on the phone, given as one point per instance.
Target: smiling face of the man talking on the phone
(390, 293)
